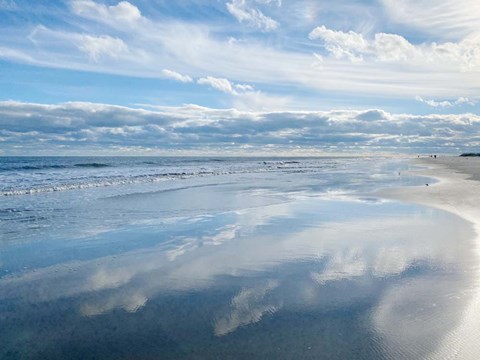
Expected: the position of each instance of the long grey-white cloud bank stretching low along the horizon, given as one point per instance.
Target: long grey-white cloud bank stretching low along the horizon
(28, 128)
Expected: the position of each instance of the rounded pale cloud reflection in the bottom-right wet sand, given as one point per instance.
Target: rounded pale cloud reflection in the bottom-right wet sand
(413, 318)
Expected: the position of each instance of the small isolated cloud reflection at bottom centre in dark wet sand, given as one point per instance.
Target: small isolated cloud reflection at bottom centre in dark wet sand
(247, 307)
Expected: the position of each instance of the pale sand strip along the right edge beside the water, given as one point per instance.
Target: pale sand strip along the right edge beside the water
(458, 192)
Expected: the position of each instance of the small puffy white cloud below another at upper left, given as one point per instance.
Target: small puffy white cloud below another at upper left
(98, 46)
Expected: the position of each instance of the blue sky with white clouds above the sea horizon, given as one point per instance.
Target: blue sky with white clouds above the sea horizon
(192, 77)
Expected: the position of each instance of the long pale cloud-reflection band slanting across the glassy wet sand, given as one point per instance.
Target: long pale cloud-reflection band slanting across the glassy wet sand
(155, 269)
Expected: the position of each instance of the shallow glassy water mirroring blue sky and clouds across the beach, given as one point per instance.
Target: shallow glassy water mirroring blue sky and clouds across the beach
(258, 263)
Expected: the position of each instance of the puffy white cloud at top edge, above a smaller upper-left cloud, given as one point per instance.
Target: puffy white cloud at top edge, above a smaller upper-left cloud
(124, 13)
